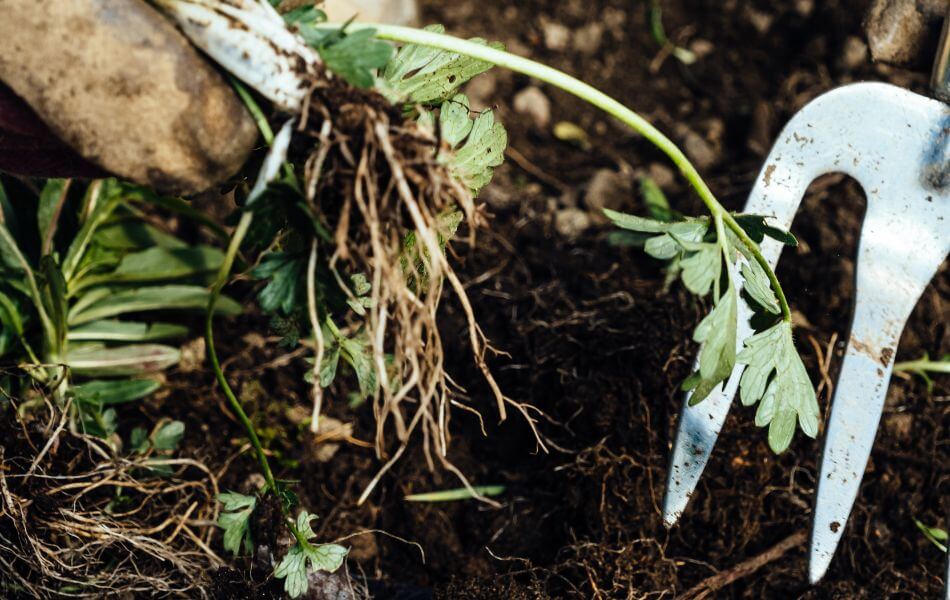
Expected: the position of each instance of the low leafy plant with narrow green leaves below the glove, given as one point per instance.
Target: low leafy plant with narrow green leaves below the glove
(80, 266)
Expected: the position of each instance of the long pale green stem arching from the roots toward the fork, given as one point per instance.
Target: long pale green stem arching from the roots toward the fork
(592, 96)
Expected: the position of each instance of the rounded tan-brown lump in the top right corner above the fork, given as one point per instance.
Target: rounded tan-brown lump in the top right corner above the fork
(904, 32)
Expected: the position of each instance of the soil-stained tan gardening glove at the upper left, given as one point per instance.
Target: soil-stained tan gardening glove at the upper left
(110, 86)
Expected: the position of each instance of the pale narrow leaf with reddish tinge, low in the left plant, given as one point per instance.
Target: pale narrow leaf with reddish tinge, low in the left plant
(99, 360)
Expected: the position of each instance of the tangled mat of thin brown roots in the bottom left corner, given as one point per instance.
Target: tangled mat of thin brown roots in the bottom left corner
(90, 523)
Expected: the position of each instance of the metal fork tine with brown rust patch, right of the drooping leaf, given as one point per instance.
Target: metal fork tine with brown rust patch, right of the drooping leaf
(890, 280)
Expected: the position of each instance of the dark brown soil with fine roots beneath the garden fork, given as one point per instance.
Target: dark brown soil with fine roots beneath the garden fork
(597, 346)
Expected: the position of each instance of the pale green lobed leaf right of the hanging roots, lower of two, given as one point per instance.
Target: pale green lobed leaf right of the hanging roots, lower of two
(479, 145)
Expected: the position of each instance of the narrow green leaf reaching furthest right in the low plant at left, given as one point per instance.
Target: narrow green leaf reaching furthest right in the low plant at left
(168, 297)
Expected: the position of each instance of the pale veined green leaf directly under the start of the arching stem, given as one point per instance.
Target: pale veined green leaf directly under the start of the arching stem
(423, 75)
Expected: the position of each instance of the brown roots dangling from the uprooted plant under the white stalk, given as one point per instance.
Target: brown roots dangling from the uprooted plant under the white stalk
(374, 177)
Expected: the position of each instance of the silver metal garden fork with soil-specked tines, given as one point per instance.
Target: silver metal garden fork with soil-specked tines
(896, 144)
